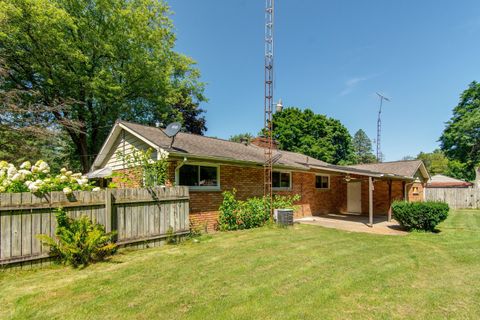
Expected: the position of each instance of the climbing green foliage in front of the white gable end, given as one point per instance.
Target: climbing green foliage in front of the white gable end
(154, 172)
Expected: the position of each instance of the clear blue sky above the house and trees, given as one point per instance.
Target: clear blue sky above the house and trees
(332, 56)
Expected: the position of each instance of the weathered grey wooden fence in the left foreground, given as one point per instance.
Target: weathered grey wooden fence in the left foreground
(138, 215)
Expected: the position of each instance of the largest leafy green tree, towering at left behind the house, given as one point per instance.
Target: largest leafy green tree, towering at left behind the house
(80, 65)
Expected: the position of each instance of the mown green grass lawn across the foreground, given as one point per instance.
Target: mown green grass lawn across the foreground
(301, 272)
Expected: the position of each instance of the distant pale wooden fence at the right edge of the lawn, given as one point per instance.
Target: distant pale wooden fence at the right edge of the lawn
(457, 198)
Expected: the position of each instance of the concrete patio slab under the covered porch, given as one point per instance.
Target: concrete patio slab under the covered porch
(354, 223)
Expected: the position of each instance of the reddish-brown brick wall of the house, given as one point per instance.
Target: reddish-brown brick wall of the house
(248, 181)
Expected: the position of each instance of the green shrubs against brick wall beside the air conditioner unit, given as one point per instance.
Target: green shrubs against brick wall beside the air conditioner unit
(251, 213)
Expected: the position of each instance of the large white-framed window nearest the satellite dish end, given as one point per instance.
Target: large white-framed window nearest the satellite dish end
(198, 176)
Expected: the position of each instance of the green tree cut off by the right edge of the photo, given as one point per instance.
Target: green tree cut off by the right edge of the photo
(461, 138)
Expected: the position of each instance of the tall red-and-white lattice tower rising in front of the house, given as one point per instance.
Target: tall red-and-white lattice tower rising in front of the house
(268, 102)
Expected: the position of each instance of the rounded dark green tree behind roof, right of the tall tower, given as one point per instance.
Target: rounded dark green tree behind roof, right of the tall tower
(314, 135)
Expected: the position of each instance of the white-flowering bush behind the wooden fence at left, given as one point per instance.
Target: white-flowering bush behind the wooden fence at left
(38, 179)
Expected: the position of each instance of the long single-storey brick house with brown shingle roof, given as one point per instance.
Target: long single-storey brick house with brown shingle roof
(210, 166)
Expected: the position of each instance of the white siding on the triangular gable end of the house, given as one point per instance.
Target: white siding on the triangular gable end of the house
(125, 143)
